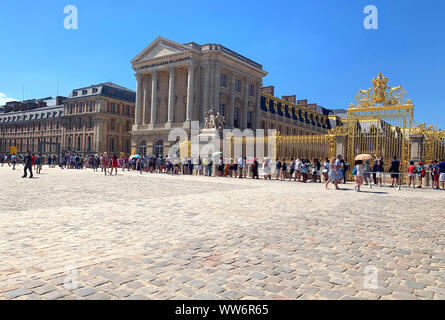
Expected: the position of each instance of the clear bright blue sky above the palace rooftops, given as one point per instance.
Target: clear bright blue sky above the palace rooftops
(316, 49)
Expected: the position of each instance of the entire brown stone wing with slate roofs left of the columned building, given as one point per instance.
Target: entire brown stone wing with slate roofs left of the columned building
(93, 119)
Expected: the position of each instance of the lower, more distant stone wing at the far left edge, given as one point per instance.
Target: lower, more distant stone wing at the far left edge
(25, 125)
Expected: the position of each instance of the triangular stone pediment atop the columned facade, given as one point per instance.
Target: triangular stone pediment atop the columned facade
(159, 48)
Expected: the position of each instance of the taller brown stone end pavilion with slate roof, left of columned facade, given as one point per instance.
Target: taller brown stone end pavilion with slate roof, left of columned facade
(98, 119)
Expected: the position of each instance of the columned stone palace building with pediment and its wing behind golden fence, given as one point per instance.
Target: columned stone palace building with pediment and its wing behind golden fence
(179, 83)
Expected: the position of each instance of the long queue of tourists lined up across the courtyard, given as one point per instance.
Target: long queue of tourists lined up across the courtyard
(369, 172)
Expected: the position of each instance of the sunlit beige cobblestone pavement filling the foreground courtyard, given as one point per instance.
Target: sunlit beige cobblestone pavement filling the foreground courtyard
(80, 235)
